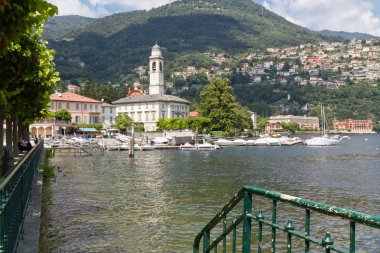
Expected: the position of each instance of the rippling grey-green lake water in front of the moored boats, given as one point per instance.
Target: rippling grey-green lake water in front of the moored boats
(159, 200)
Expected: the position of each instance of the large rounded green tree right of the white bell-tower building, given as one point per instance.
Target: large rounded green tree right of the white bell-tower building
(219, 104)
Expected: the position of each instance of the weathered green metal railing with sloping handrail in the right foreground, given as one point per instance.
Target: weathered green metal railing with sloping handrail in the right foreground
(245, 219)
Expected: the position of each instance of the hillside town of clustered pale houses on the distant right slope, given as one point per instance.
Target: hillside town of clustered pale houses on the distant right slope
(331, 64)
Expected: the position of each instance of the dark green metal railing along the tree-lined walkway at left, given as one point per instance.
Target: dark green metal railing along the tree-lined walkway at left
(15, 192)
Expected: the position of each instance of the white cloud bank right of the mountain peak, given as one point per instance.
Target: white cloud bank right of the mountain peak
(336, 15)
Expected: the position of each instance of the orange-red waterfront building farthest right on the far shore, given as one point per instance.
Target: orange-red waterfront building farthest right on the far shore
(354, 126)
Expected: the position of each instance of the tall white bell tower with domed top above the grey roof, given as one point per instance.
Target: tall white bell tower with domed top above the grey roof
(156, 71)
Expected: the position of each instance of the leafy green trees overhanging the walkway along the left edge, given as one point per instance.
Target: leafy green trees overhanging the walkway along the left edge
(26, 69)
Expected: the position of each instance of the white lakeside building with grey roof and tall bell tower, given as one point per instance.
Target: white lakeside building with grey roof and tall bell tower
(149, 108)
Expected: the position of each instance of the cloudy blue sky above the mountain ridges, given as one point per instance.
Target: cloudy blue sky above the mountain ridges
(336, 15)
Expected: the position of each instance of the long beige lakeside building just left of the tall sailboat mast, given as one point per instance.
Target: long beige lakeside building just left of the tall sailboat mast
(305, 122)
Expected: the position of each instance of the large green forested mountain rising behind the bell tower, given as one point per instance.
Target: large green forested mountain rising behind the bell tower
(108, 48)
